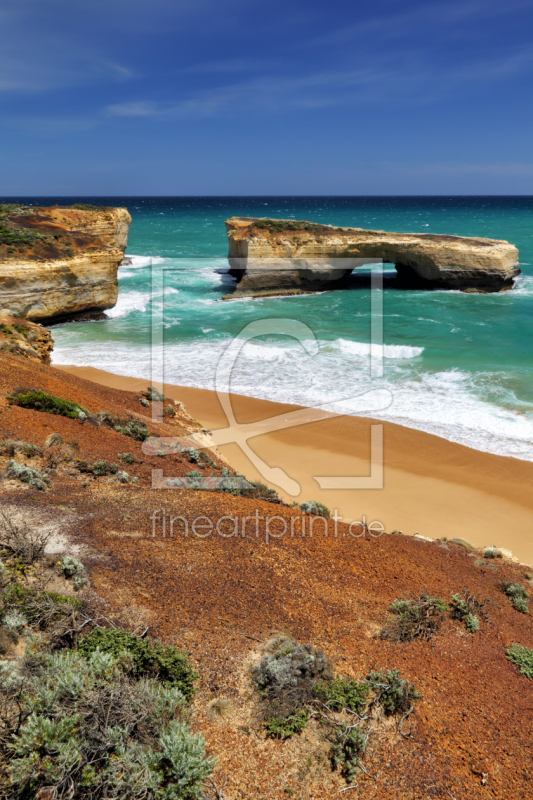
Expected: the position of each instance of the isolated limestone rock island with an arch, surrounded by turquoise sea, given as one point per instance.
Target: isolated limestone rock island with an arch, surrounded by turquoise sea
(271, 256)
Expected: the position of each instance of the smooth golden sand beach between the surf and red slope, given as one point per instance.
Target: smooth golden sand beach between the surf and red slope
(431, 486)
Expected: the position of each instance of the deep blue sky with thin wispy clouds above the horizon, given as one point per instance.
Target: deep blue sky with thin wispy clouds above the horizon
(248, 97)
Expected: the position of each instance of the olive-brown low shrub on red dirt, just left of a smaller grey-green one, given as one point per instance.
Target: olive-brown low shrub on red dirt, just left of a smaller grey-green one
(417, 618)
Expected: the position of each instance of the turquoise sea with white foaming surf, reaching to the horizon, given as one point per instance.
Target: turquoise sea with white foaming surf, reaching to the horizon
(457, 365)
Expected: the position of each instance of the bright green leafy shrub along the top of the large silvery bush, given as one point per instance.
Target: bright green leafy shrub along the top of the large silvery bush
(171, 665)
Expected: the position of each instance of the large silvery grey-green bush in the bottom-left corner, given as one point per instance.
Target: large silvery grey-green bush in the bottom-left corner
(89, 729)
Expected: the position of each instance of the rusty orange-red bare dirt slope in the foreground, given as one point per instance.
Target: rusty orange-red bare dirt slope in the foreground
(221, 597)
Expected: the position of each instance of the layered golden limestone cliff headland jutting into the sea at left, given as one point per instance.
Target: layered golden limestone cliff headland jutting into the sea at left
(56, 262)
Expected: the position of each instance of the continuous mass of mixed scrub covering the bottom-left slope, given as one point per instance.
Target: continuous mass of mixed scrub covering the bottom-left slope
(102, 715)
